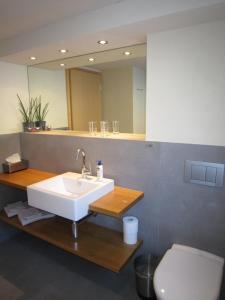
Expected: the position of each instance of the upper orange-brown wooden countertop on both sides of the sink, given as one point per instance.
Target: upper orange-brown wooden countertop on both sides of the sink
(114, 204)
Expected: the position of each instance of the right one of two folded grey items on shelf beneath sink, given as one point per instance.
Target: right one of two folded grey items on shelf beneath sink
(31, 214)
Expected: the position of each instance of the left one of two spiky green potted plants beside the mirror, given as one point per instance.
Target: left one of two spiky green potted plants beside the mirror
(28, 113)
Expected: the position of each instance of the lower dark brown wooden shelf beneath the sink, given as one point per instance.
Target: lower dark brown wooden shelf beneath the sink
(100, 245)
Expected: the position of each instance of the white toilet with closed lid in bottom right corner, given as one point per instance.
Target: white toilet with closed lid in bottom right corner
(186, 273)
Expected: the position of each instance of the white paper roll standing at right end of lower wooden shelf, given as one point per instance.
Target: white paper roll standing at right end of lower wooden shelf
(130, 230)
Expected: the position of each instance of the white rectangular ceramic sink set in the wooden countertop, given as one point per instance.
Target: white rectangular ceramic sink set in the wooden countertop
(68, 195)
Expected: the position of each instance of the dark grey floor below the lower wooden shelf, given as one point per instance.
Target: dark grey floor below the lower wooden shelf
(33, 269)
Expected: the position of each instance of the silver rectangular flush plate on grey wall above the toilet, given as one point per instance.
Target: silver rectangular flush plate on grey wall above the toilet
(204, 173)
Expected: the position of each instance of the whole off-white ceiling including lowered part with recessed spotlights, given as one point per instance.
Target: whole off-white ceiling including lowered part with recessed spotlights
(41, 27)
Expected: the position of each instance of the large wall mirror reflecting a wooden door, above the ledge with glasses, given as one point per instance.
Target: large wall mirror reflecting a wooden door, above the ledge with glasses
(109, 85)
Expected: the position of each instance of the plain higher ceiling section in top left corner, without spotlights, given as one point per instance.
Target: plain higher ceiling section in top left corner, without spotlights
(23, 16)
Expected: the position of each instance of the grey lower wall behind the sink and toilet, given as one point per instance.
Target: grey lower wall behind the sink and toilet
(172, 210)
